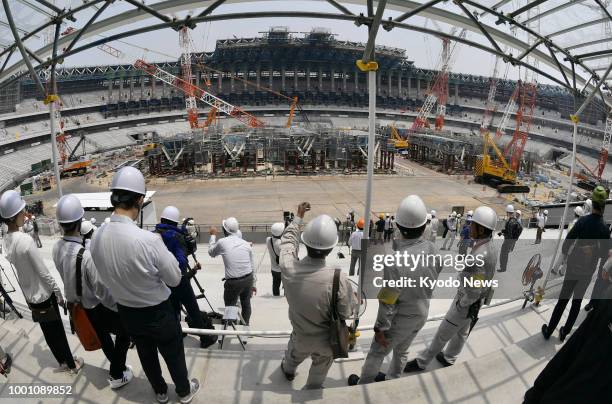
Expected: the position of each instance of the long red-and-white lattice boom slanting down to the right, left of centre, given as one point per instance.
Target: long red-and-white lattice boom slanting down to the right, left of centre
(202, 95)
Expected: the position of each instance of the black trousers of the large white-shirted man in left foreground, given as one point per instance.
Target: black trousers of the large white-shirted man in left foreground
(156, 328)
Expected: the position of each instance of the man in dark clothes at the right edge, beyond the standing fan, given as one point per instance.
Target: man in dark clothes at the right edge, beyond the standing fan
(586, 243)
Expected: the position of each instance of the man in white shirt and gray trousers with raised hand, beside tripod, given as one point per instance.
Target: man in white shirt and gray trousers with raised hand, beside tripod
(239, 265)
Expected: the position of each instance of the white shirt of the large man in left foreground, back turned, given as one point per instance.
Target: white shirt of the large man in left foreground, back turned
(133, 263)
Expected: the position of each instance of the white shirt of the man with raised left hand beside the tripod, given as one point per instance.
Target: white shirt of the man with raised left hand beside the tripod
(237, 255)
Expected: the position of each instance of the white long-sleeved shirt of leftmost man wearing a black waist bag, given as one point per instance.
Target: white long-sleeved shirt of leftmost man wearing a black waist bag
(35, 280)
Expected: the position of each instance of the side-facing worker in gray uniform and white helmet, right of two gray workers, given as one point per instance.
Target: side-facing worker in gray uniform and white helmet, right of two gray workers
(463, 313)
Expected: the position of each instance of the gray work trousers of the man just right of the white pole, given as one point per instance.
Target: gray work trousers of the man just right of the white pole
(400, 336)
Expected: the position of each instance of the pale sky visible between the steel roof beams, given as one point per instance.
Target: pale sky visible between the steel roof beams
(423, 49)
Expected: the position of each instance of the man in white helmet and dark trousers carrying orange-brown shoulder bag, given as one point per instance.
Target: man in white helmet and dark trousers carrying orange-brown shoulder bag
(101, 308)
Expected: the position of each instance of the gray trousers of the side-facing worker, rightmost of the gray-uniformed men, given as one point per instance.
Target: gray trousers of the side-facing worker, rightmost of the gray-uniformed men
(453, 330)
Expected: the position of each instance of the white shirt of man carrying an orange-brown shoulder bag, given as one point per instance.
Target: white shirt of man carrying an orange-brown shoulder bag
(94, 292)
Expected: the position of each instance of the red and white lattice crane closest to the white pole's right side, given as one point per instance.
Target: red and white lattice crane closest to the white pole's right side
(439, 90)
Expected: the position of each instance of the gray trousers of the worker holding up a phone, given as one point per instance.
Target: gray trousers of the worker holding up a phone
(299, 349)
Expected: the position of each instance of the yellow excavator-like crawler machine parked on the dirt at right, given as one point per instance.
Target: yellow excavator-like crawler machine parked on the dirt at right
(498, 172)
